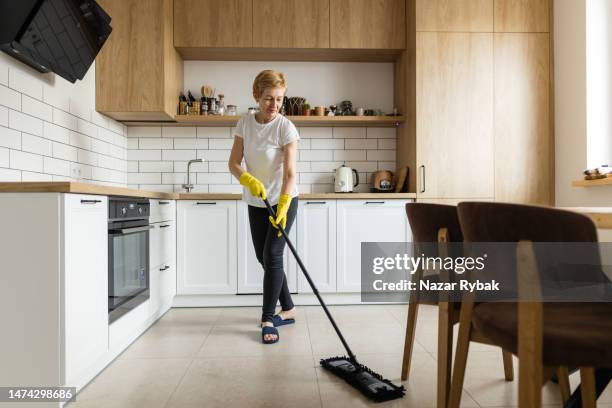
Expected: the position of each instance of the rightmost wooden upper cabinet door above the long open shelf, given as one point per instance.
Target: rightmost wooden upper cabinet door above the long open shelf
(367, 24)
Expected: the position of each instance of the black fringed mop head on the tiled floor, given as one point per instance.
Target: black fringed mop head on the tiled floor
(369, 383)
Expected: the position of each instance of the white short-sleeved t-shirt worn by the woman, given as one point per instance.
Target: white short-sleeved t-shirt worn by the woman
(263, 154)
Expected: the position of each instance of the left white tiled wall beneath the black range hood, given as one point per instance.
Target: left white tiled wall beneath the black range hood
(50, 131)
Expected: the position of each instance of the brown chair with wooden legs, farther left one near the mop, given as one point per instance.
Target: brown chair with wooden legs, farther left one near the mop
(437, 223)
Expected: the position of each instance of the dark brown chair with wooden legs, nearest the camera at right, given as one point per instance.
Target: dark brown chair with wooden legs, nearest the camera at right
(547, 337)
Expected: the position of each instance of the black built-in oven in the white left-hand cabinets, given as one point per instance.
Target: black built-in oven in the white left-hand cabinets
(128, 254)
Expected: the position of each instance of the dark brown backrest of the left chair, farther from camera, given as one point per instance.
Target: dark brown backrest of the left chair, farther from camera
(427, 219)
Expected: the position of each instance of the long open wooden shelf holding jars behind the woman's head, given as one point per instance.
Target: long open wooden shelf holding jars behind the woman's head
(378, 121)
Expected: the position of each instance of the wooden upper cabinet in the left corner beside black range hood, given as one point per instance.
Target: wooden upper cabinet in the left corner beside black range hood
(139, 74)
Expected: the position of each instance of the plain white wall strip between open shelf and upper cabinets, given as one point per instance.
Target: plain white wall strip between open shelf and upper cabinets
(367, 85)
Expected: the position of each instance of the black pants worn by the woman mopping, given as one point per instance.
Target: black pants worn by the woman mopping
(269, 251)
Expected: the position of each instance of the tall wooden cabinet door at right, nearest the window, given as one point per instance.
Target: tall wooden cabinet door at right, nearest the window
(524, 148)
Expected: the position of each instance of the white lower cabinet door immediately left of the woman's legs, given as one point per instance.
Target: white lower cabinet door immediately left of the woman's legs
(206, 244)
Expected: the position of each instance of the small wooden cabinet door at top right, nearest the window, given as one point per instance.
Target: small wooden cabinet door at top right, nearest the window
(522, 16)
